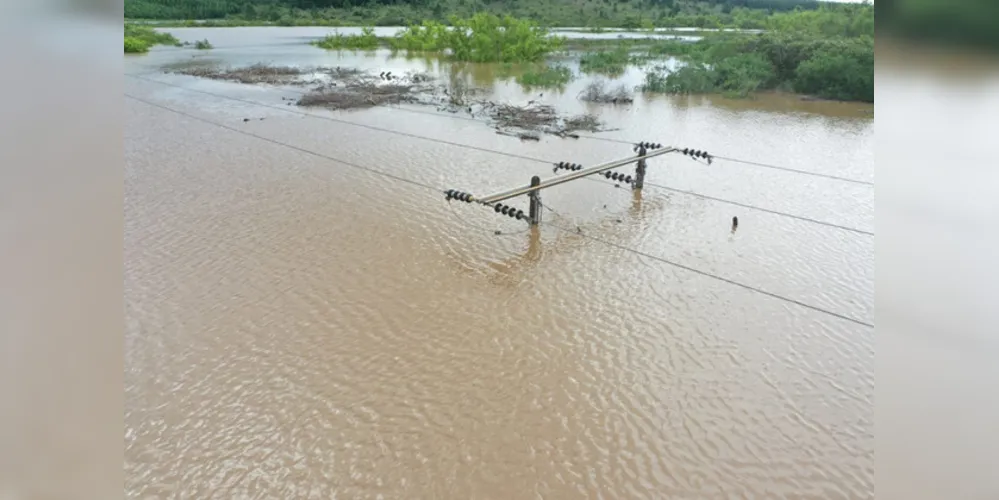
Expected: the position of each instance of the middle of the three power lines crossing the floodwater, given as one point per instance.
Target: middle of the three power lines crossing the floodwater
(502, 153)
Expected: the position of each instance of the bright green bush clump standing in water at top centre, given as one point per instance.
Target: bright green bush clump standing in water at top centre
(481, 38)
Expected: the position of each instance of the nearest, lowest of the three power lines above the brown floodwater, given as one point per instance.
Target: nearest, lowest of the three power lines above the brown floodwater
(432, 188)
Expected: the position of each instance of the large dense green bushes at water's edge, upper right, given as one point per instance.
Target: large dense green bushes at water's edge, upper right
(827, 52)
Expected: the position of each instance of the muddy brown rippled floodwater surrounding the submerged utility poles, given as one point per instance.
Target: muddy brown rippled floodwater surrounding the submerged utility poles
(301, 328)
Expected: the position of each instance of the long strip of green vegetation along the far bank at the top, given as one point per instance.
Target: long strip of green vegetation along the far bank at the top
(634, 14)
